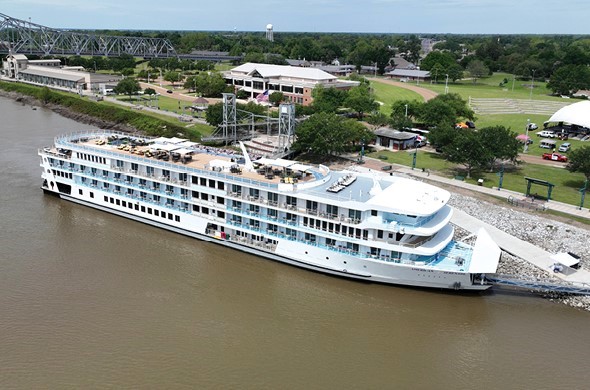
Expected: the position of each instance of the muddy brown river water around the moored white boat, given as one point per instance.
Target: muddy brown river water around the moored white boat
(91, 300)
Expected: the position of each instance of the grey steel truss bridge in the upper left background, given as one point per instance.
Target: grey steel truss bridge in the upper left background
(25, 37)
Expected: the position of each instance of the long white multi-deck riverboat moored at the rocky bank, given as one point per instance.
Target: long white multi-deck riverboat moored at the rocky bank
(368, 226)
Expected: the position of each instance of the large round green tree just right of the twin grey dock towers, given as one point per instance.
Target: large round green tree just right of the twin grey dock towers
(329, 134)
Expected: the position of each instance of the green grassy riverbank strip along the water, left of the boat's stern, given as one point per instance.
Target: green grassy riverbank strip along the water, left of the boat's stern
(78, 107)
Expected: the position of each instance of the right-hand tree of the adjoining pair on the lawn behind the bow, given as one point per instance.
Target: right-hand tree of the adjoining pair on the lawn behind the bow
(500, 142)
